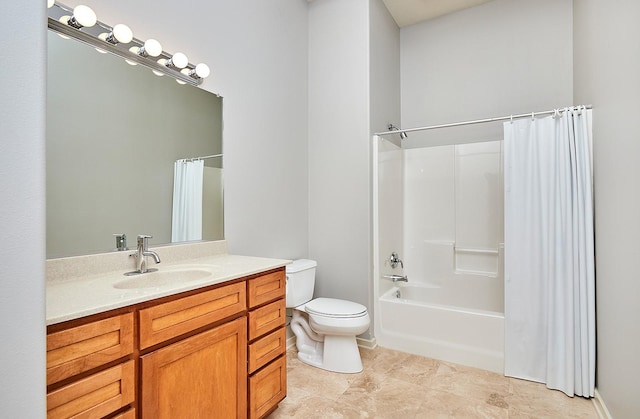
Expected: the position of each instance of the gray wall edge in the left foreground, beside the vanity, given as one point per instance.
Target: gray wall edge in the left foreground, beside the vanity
(22, 211)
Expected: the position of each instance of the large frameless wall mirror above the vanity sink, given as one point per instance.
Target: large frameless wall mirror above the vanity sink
(114, 132)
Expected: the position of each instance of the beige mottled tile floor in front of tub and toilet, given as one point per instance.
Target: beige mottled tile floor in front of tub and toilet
(402, 386)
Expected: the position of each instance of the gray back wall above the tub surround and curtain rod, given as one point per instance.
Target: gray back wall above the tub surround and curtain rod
(500, 58)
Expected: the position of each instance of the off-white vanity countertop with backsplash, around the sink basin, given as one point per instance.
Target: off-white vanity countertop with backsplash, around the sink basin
(84, 285)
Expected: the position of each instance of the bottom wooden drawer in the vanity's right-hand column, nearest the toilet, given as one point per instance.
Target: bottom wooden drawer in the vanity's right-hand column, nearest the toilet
(267, 388)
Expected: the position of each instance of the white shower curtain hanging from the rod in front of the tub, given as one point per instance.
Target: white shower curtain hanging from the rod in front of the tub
(549, 252)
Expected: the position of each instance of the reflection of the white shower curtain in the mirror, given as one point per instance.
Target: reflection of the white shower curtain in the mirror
(186, 220)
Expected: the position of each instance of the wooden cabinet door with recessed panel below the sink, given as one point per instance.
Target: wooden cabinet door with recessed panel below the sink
(203, 376)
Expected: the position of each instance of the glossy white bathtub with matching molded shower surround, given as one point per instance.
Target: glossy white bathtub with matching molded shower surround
(440, 209)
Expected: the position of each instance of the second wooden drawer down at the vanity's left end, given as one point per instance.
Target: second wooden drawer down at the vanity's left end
(95, 396)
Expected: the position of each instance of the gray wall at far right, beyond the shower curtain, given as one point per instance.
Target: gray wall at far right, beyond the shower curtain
(607, 65)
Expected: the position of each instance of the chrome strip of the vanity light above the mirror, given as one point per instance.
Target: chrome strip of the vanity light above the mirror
(91, 37)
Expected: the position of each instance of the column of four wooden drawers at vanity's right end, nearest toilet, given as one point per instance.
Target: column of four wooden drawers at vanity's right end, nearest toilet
(267, 343)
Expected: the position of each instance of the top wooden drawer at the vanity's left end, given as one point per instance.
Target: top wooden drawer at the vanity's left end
(81, 348)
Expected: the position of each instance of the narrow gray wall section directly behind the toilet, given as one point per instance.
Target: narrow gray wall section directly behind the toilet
(339, 143)
